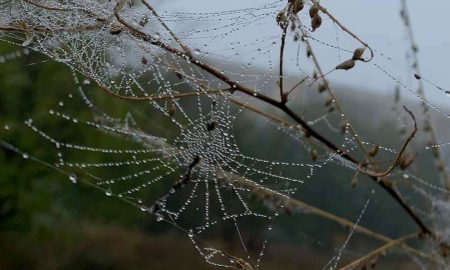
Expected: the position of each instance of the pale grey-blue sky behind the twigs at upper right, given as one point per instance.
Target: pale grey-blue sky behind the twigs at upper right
(375, 21)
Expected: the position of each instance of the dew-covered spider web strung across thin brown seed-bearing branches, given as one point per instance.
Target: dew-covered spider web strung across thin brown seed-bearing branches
(166, 109)
